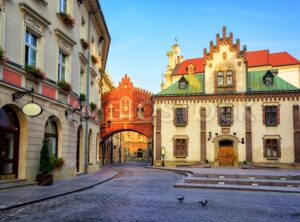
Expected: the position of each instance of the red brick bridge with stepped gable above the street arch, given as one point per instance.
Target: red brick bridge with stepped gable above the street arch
(126, 108)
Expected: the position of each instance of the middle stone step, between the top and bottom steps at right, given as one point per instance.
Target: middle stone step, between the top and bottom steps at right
(244, 181)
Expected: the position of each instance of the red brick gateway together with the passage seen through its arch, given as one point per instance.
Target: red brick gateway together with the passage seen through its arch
(125, 108)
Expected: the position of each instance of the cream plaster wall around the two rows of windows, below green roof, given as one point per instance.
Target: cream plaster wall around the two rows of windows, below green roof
(192, 130)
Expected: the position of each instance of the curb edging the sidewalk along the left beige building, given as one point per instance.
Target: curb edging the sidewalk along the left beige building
(58, 195)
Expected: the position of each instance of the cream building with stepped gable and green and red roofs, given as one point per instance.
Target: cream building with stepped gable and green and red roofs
(229, 106)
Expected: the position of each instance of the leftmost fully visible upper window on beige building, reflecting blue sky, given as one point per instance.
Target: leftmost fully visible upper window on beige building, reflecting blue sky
(30, 49)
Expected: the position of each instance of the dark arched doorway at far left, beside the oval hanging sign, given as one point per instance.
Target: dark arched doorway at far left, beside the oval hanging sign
(9, 146)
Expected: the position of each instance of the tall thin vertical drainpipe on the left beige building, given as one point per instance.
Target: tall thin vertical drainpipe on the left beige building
(87, 98)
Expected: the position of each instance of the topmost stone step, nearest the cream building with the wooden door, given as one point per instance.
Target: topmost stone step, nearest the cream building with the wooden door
(256, 176)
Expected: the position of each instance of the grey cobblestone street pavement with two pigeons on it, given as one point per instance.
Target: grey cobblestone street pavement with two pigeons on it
(145, 195)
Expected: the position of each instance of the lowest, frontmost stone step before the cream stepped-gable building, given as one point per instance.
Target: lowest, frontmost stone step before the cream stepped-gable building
(238, 187)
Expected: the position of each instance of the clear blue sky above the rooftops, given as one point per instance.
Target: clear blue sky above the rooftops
(142, 31)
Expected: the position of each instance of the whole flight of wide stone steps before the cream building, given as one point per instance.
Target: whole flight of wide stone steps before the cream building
(273, 183)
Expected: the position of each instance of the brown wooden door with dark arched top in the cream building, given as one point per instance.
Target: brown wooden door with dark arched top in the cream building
(226, 153)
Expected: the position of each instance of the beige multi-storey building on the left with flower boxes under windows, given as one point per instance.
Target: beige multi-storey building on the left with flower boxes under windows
(59, 48)
